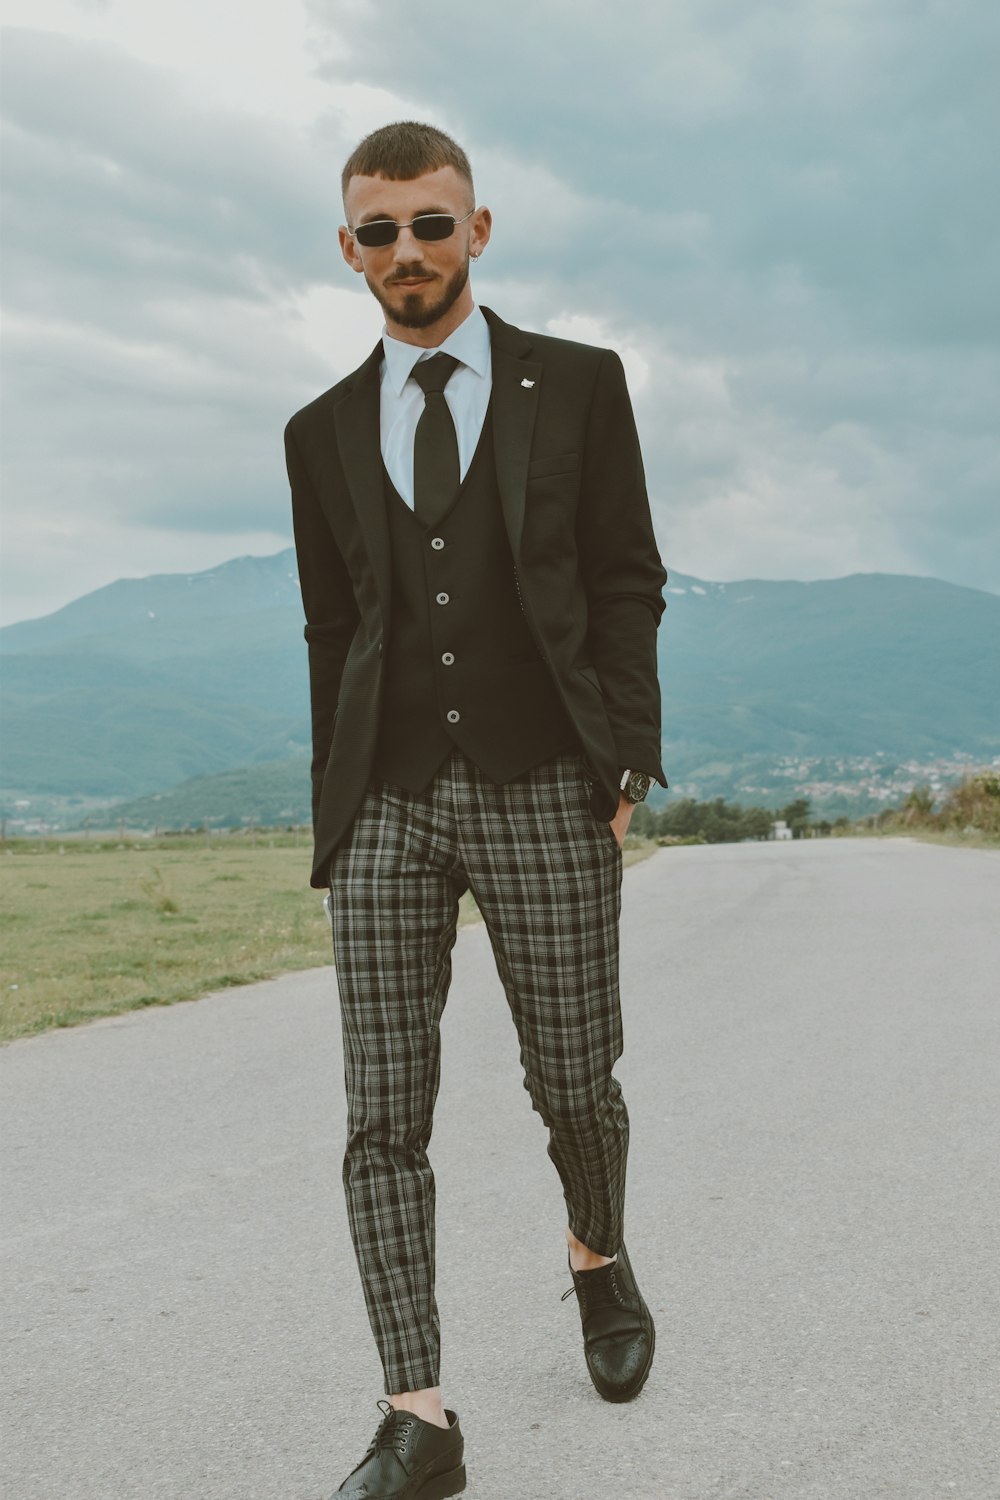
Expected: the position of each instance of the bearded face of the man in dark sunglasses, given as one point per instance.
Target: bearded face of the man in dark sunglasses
(421, 284)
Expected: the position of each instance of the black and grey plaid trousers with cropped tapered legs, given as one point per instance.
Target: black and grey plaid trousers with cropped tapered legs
(546, 877)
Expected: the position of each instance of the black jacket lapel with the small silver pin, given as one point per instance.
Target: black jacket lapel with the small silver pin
(516, 388)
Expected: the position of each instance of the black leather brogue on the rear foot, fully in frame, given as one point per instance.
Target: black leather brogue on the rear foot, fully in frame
(618, 1333)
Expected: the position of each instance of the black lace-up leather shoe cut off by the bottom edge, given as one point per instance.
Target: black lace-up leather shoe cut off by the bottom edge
(409, 1460)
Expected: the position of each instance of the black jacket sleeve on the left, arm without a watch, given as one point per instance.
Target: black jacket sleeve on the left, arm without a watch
(332, 614)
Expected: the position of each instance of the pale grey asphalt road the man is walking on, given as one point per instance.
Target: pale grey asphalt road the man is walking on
(813, 1075)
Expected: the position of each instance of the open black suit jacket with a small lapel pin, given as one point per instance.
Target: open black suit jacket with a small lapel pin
(578, 518)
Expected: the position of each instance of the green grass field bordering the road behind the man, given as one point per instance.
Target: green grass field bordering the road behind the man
(94, 929)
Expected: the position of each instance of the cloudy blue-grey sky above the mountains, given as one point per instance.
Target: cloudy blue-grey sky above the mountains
(780, 214)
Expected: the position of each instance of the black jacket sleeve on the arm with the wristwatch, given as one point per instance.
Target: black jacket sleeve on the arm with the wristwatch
(621, 572)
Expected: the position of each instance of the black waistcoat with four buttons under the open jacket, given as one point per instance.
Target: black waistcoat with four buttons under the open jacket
(461, 667)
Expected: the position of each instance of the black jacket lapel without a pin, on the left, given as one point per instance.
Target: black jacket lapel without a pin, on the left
(359, 442)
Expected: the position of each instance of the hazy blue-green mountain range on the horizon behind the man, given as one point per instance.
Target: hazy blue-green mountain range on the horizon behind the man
(191, 692)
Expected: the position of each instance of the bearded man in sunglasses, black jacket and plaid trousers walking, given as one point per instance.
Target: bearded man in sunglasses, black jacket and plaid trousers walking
(482, 593)
